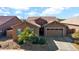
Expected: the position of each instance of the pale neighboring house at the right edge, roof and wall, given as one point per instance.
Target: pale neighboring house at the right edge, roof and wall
(72, 23)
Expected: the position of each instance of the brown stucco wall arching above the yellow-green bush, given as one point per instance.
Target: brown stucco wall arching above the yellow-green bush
(22, 26)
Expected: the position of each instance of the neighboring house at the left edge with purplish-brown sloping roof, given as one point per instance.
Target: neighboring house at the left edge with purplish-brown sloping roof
(6, 22)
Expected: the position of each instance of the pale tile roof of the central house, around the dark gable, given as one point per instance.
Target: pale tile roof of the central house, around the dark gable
(49, 19)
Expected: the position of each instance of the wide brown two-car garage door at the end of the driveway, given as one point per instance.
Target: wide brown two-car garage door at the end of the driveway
(56, 32)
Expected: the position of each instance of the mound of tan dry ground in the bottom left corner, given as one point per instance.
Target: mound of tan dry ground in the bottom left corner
(9, 44)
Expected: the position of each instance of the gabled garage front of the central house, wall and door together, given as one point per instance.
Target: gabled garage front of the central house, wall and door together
(57, 27)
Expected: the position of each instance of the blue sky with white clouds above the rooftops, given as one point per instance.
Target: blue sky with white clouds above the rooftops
(61, 12)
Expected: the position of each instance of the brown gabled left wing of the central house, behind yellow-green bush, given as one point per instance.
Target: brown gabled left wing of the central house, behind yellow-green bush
(20, 27)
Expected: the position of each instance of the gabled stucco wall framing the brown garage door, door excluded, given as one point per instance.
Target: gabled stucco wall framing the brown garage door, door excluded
(58, 26)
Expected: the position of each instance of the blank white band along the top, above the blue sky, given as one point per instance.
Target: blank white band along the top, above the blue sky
(24, 4)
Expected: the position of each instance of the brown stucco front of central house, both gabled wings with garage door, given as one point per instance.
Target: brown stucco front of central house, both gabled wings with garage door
(59, 29)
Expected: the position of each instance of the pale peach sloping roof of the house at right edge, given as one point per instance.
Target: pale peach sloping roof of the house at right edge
(72, 20)
